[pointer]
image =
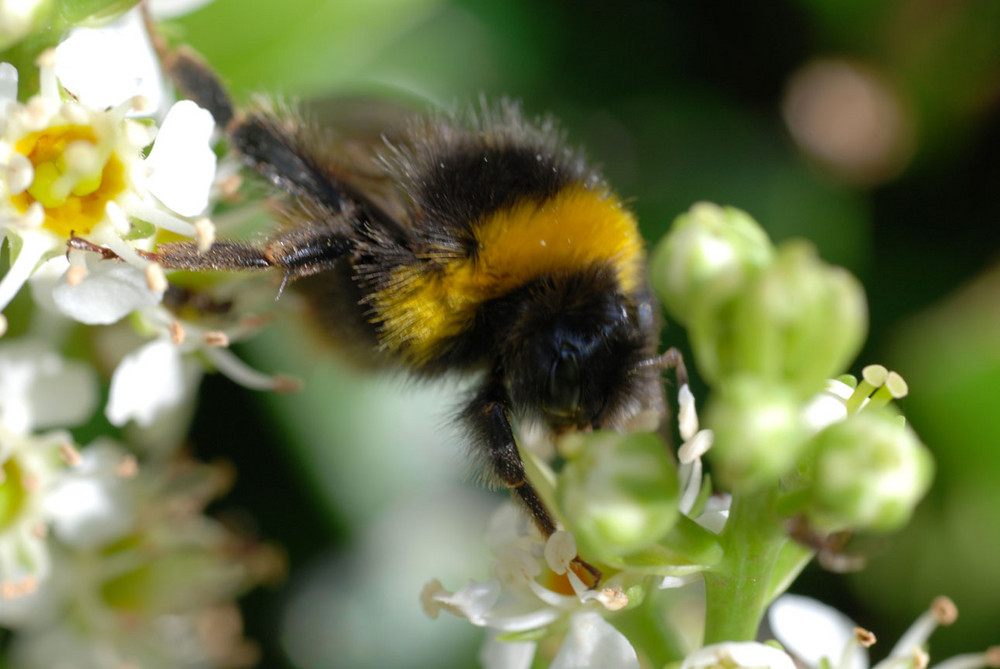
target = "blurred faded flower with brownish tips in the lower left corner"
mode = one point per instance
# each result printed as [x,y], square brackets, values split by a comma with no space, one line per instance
[159,591]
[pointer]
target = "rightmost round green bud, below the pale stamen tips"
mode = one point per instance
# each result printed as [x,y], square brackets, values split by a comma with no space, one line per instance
[866,473]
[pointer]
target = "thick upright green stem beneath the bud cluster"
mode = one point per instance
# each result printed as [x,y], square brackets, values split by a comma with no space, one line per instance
[738,589]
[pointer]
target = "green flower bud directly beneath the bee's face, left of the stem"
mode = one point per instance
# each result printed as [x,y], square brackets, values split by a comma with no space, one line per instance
[618,492]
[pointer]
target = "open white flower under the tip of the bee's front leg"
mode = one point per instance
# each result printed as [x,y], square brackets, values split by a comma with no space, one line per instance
[533,589]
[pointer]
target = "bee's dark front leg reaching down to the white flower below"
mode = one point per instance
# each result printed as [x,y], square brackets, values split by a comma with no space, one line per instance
[487,416]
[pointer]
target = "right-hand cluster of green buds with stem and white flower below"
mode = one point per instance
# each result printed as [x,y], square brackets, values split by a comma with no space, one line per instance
[799,453]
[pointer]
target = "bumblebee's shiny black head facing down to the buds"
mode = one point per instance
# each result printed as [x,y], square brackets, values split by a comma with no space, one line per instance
[577,365]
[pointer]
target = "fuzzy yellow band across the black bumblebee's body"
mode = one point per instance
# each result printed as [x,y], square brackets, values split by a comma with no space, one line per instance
[424,304]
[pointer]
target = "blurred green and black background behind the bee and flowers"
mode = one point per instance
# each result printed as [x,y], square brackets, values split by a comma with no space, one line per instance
[871,128]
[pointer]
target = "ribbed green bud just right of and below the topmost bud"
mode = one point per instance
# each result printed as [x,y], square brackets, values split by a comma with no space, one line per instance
[799,321]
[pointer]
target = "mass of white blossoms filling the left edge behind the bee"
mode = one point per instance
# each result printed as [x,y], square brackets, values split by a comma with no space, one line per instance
[107,557]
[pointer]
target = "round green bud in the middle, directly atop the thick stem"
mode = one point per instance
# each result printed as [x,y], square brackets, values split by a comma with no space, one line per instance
[759,432]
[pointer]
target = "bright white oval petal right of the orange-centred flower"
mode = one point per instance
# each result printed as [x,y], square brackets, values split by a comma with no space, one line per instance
[181,162]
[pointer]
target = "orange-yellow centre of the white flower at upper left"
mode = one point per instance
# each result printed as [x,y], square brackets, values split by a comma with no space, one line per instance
[75,177]
